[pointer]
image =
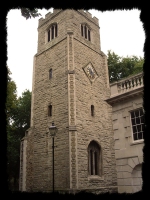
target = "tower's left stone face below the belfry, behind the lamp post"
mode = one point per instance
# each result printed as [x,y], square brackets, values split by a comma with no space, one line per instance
[54,92]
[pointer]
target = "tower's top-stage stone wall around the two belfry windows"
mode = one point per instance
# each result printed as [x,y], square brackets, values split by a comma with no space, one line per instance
[69,20]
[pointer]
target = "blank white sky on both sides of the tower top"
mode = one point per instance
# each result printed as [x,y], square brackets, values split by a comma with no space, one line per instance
[120,31]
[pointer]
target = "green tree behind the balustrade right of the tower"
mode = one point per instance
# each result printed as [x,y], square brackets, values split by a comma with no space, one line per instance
[121,67]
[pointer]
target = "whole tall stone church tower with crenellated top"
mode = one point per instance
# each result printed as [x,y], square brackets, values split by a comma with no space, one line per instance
[70,85]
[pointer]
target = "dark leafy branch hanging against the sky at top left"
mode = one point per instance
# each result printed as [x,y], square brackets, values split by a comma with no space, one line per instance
[28,13]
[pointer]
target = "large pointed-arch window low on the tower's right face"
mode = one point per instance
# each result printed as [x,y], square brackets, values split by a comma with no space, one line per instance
[95,160]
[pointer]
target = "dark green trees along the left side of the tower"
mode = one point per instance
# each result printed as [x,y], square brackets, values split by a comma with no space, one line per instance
[18,121]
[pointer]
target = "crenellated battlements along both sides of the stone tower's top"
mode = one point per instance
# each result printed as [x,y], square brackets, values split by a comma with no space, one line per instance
[50,15]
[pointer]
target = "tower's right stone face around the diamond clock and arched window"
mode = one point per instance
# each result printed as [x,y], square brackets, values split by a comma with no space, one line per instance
[99,127]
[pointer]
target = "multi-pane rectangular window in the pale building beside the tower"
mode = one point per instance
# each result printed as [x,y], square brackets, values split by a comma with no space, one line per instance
[137,124]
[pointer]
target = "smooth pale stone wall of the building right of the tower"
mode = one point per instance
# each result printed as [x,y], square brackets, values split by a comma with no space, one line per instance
[128,154]
